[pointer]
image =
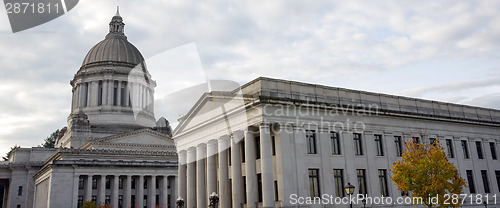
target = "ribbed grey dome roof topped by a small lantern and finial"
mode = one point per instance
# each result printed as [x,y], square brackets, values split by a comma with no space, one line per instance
[115,48]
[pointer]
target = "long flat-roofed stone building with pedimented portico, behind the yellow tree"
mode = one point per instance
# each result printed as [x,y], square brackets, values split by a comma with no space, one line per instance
[278,143]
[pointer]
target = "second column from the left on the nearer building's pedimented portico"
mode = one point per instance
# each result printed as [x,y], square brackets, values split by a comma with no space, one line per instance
[191,177]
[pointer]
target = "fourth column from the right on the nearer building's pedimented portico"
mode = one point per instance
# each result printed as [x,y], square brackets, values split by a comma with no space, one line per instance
[224,196]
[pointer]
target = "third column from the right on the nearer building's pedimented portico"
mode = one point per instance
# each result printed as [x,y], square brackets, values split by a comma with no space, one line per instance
[236,168]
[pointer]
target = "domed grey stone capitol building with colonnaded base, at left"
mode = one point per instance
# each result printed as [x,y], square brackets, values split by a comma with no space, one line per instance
[112,151]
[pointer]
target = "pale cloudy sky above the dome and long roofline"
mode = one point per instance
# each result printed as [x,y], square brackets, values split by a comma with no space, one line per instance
[439,50]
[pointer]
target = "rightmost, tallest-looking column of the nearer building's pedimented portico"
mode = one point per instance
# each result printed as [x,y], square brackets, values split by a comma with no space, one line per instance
[266,163]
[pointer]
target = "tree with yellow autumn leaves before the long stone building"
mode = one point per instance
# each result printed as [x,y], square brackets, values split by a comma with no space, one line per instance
[425,172]
